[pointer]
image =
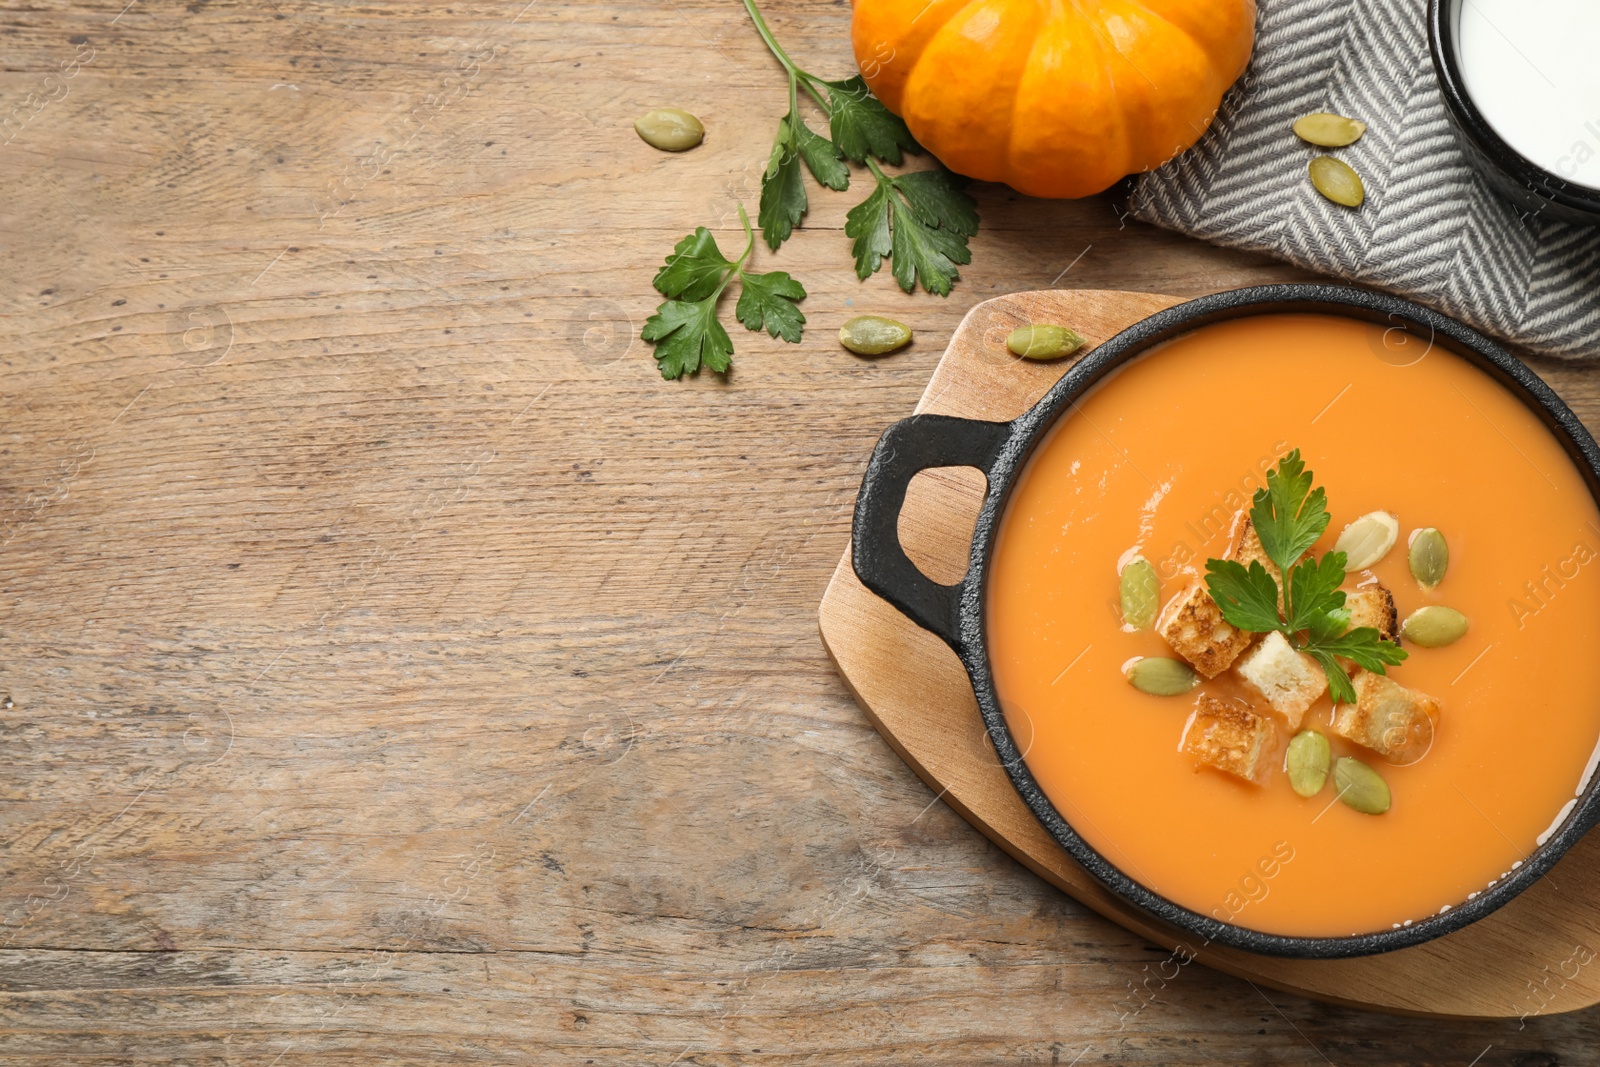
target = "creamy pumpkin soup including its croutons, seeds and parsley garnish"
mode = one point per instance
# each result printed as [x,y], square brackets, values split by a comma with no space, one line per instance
[1334,708]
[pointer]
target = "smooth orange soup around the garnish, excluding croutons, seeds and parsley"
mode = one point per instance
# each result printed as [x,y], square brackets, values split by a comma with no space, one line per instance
[1158,460]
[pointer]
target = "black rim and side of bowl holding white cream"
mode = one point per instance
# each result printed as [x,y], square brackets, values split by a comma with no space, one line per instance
[1508,172]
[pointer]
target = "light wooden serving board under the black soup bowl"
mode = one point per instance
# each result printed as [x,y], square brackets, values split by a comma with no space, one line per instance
[1532,957]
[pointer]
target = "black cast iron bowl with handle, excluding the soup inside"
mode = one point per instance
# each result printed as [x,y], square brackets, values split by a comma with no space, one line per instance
[1002,450]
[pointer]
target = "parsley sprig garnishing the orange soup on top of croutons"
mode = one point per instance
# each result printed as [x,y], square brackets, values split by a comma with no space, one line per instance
[1290,514]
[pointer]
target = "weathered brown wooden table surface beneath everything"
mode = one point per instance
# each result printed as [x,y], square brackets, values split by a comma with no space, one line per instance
[401,671]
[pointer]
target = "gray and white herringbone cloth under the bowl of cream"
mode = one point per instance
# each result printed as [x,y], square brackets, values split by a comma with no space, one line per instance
[1431,230]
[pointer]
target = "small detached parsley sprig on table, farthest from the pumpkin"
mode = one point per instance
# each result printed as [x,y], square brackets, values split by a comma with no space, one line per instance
[687,332]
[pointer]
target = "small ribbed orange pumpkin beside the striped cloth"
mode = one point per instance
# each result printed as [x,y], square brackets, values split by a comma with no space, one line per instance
[1057,98]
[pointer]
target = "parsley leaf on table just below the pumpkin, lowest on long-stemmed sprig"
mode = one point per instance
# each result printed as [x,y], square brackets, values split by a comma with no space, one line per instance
[922,220]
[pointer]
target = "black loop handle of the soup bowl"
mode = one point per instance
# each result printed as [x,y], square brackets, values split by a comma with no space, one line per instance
[905,450]
